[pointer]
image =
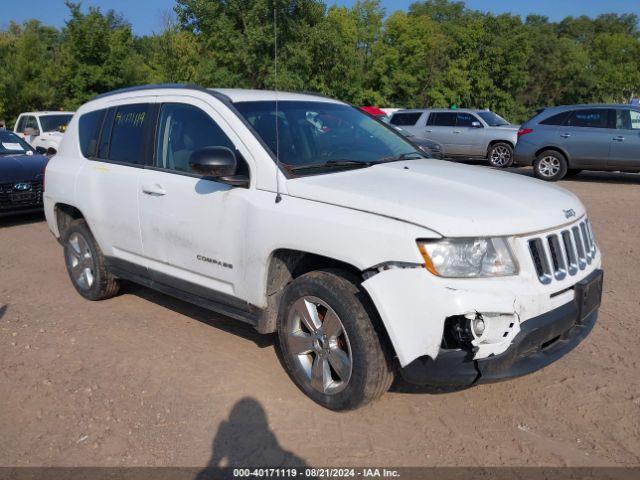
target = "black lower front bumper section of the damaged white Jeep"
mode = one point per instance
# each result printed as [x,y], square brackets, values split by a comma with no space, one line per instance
[541,340]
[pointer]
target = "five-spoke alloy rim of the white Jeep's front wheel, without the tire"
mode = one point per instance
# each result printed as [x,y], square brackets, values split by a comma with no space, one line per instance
[319,345]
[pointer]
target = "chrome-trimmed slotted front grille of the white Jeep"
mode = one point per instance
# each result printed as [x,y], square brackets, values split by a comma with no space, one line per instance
[564,252]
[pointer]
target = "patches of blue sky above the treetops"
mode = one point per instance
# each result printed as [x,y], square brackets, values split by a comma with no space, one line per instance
[146,15]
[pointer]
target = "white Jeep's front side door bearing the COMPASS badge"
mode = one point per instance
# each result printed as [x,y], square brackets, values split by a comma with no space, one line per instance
[193,228]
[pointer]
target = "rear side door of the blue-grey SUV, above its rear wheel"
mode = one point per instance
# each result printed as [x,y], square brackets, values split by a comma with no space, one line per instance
[587,136]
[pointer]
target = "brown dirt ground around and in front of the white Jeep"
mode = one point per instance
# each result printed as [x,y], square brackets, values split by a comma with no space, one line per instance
[143,379]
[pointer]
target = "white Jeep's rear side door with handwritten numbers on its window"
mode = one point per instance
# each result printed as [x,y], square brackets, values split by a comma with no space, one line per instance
[116,141]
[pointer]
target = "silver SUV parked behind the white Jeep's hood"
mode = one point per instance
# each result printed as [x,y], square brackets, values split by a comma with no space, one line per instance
[463,133]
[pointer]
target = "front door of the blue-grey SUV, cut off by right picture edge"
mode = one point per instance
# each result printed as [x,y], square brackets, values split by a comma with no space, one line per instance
[625,142]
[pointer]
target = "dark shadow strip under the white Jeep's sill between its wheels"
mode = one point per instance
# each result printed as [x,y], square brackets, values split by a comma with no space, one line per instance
[203,315]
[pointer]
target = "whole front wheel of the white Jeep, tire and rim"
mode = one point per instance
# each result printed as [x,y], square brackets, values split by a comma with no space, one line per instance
[366,373]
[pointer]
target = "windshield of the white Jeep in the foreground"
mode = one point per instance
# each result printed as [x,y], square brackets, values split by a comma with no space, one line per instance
[324,134]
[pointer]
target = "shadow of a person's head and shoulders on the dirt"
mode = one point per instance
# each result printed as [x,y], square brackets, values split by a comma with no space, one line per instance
[245,440]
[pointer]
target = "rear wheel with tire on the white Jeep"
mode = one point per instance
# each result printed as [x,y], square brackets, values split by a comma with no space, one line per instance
[86,264]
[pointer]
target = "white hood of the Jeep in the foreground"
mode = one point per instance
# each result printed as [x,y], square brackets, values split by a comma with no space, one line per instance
[452,199]
